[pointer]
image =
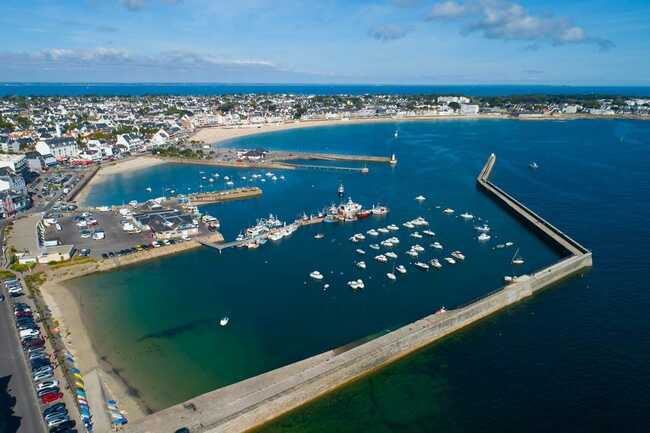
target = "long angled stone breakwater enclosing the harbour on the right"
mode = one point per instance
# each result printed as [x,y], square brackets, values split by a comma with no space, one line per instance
[257,400]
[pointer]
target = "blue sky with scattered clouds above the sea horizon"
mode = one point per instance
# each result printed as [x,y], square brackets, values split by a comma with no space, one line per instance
[571,42]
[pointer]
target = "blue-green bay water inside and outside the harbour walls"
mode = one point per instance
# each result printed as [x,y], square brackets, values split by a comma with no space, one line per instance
[574,358]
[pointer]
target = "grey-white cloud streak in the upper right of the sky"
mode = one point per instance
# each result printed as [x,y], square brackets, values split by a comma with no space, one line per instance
[505,20]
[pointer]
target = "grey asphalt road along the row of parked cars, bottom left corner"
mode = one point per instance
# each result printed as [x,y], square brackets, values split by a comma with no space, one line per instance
[14,366]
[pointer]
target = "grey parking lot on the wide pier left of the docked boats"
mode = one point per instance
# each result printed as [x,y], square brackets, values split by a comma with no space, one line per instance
[115,238]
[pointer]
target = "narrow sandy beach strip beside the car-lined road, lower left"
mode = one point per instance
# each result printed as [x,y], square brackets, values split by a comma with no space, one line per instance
[65,308]
